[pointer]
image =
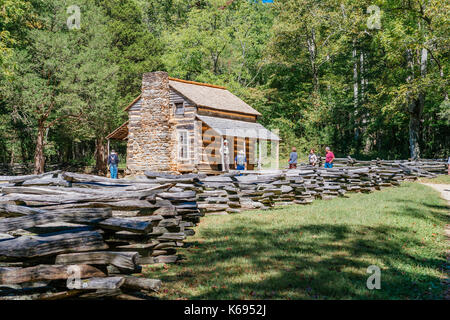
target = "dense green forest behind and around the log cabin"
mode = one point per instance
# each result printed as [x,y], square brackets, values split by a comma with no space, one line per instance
[368,78]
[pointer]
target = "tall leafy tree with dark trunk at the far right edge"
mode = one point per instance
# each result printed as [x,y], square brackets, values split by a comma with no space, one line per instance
[413,39]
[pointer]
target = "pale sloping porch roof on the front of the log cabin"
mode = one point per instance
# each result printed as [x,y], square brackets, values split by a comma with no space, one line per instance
[236,128]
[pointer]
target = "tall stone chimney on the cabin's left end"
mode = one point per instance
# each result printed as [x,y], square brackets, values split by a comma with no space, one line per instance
[151,137]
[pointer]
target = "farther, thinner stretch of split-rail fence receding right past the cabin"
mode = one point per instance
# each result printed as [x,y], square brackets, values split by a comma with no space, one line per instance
[230,193]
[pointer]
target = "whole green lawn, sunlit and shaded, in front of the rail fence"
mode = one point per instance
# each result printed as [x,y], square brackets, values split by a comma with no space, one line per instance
[319,251]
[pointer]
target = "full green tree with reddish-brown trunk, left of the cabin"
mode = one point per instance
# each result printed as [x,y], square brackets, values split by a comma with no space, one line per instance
[51,84]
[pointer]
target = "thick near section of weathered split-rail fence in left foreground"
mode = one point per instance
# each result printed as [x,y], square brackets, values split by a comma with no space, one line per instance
[61,225]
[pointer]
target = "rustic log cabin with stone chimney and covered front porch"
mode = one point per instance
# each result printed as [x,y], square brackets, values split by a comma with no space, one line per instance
[180,126]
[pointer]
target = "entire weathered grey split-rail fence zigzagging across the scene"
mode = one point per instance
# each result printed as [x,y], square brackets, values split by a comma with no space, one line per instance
[109,228]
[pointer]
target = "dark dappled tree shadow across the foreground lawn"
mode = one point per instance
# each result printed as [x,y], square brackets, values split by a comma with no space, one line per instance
[330,266]
